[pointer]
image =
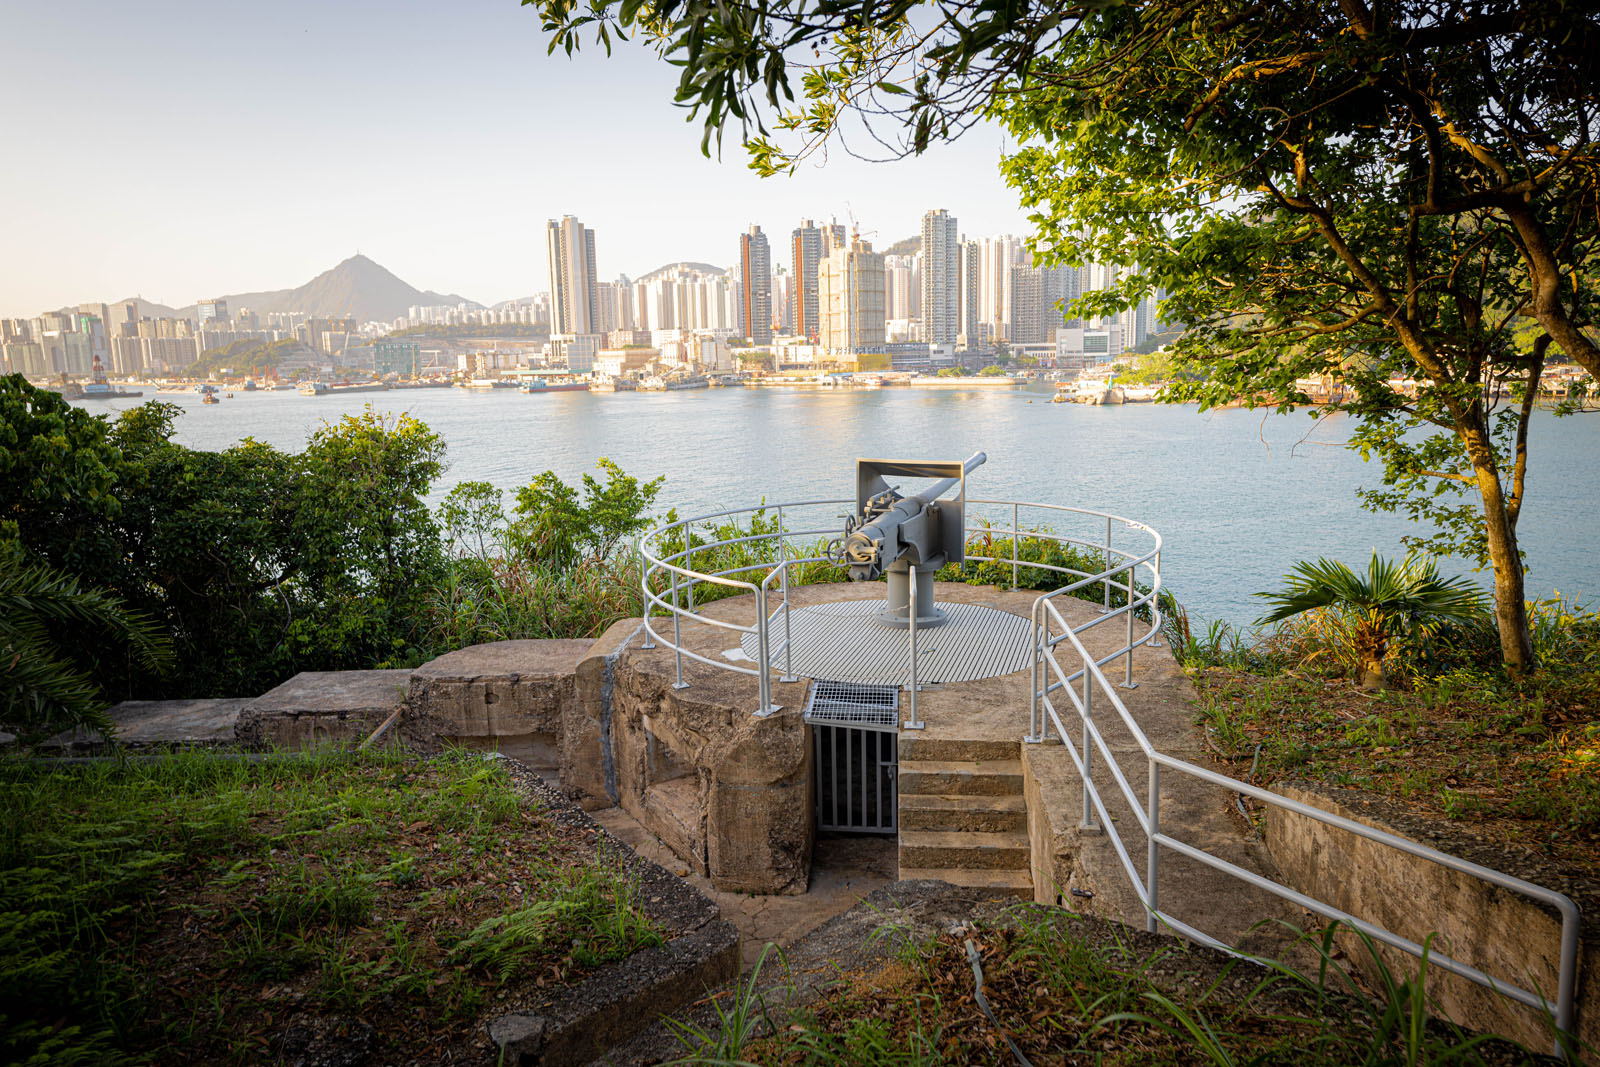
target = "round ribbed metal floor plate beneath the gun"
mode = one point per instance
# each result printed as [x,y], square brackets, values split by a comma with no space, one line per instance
[844,642]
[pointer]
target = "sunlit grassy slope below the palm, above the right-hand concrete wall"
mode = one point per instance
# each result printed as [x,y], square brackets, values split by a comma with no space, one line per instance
[1455,737]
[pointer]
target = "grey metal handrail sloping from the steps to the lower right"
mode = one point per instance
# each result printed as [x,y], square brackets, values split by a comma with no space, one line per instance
[1148,818]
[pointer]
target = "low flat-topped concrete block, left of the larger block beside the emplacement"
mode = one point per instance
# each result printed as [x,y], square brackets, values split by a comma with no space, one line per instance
[321,708]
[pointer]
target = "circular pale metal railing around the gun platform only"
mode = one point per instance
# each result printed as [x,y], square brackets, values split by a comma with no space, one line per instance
[670,578]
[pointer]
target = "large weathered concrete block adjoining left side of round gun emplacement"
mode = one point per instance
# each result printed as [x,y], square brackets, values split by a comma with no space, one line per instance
[510,697]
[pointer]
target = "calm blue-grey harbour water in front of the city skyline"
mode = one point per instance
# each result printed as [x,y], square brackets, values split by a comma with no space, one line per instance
[1239,497]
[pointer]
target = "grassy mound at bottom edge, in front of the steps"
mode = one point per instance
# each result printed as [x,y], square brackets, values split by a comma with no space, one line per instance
[1089,997]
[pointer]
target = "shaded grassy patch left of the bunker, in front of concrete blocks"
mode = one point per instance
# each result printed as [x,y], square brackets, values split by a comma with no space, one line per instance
[182,911]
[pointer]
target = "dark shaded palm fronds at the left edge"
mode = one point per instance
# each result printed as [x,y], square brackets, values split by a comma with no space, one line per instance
[44,689]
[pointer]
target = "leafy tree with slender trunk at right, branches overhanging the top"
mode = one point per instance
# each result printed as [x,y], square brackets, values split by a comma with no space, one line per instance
[1356,193]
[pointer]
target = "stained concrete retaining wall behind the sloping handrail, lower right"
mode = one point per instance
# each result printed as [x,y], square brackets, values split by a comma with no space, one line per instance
[1498,932]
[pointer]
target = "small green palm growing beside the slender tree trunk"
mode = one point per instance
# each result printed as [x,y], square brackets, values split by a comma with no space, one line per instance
[1393,601]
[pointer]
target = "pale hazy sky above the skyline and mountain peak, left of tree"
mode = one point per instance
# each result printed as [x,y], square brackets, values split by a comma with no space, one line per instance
[180,150]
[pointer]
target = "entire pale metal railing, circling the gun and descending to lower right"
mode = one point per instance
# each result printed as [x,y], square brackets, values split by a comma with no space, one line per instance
[670,581]
